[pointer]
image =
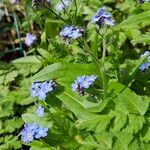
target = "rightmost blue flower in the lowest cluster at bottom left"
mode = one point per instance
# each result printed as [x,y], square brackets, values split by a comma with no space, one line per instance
[41,132]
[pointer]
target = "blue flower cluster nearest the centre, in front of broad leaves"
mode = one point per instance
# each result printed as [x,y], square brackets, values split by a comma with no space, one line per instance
[83,82]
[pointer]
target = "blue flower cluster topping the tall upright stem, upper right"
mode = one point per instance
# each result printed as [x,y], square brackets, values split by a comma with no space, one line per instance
[101,17]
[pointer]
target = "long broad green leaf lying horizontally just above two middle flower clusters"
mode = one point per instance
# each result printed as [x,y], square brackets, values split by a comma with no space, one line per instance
[64,70]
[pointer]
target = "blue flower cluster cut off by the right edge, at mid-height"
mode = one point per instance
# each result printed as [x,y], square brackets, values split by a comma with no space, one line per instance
[146,64]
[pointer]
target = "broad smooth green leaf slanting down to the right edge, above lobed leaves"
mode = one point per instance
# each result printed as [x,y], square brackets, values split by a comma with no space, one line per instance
[134,103]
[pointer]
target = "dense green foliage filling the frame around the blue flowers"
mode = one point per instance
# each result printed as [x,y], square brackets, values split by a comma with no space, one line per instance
[113,112]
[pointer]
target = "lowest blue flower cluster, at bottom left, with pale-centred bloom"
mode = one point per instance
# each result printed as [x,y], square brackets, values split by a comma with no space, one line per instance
[32,131]
